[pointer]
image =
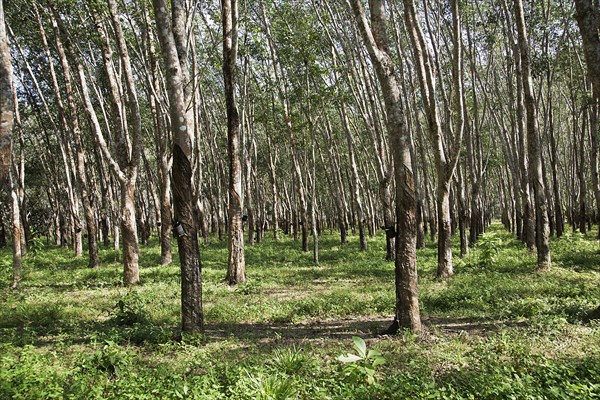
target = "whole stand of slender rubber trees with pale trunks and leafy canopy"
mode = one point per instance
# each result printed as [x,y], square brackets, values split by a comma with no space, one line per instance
[194,118]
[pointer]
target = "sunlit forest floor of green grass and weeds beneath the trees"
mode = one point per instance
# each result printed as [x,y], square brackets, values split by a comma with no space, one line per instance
[497,329]
